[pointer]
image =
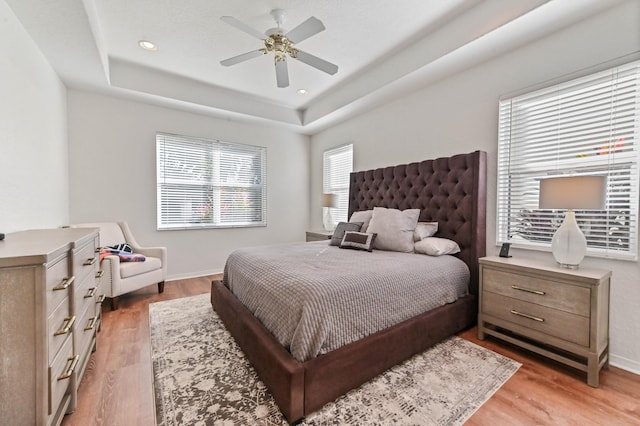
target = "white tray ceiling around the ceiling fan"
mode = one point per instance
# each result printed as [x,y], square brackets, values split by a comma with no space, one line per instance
[382,48]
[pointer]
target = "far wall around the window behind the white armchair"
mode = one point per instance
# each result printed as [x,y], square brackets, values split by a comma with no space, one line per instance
[113,171]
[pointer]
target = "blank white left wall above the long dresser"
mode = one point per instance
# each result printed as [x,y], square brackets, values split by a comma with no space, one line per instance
[33,133]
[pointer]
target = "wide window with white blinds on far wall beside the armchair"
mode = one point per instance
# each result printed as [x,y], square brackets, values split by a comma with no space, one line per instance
[209,184]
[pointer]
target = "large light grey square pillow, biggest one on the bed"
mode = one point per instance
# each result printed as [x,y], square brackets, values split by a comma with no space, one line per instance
[394,228]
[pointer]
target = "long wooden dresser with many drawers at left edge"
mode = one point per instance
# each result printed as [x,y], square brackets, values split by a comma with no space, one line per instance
[49,313]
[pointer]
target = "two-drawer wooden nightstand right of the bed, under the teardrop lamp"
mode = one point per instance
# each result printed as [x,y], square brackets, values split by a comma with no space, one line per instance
[560,313]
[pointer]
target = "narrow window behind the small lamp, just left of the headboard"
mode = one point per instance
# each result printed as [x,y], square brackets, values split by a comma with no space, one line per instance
[337,164]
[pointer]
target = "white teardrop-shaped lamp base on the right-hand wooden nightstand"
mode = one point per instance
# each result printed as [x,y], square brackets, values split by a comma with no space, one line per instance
[569,244]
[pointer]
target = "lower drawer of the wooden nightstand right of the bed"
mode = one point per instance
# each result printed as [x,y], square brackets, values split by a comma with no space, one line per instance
[563,325]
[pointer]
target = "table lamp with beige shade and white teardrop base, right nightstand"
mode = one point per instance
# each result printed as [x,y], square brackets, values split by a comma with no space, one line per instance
[569,244]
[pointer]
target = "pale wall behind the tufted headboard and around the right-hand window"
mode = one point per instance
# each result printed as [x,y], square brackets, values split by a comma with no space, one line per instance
[460,113]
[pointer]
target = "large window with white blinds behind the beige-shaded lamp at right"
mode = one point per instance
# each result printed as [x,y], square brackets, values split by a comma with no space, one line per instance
[586,126]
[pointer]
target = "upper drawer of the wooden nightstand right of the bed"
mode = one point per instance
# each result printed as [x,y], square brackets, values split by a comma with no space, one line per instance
[556,295]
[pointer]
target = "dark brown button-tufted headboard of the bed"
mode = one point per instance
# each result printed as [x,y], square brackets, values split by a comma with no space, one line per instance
[449,190]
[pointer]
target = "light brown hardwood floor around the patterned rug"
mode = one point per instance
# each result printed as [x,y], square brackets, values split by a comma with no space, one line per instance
[117,386]
